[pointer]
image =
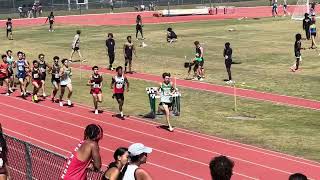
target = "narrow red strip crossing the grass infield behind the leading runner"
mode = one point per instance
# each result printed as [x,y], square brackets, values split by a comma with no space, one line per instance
[245,93]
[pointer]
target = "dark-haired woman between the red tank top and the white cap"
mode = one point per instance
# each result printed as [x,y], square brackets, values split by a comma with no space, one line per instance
[114,171]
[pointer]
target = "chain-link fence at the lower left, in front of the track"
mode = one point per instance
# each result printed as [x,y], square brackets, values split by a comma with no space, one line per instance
[30,162]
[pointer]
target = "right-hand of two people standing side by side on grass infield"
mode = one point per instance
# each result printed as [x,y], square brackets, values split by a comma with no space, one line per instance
[128,50]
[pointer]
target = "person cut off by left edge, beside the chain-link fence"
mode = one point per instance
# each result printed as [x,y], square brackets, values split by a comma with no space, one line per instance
[4,170]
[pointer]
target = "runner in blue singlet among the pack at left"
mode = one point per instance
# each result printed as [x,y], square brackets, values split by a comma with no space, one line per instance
[21,73]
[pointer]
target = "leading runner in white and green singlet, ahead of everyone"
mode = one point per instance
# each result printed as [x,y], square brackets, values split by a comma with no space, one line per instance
[166,90]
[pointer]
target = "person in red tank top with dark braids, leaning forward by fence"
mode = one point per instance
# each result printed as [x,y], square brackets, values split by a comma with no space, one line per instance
[86,154]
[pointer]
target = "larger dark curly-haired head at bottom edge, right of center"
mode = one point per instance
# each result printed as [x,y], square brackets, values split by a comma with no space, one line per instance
[221,168]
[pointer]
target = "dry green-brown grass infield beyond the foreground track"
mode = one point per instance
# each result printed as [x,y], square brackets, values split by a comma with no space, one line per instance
[265,48]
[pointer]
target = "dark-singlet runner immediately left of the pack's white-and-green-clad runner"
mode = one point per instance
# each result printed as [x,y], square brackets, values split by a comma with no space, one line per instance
[55,79]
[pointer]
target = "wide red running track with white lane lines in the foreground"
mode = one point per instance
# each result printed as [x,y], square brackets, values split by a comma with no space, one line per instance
[179,155]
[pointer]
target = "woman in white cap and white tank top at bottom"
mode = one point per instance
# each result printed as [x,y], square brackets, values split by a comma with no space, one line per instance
[138,155]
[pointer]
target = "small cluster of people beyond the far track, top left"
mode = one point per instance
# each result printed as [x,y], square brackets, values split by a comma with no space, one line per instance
[30,11]
